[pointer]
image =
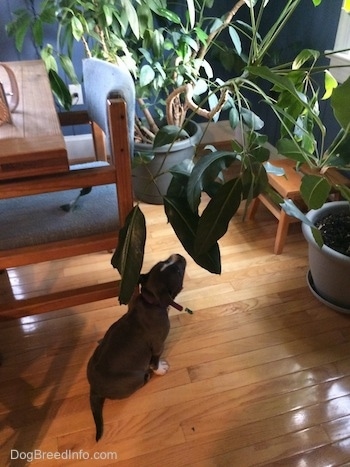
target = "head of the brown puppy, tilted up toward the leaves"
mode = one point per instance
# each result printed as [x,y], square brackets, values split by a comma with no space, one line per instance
[164,281]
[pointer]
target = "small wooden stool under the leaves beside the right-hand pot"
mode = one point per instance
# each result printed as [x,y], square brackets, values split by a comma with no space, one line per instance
[287,186]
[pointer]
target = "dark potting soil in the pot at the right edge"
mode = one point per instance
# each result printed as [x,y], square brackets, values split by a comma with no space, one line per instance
[335,231]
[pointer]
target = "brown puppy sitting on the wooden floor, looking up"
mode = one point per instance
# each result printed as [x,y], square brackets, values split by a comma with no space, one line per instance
[131,348]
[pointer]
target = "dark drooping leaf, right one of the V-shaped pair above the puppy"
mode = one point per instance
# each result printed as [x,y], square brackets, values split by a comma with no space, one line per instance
[215,218]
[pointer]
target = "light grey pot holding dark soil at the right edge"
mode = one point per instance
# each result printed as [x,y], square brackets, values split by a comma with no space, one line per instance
[329,274]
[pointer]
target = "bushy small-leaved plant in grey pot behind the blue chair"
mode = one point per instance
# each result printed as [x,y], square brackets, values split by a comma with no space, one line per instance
[164,45]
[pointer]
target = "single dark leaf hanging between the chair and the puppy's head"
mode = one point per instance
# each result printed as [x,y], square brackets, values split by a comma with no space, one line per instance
[128,256]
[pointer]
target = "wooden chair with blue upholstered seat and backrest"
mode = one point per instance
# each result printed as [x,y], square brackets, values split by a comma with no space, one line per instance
[34,227]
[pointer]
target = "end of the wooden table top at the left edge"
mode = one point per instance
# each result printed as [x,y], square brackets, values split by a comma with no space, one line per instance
[33,143]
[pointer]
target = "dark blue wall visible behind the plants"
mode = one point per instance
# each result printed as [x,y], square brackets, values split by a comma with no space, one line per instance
[311,28]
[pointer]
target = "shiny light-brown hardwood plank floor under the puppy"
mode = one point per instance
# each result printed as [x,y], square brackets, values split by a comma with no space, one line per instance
[259,374]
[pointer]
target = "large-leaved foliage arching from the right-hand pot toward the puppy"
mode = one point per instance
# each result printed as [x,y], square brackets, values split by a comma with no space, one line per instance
[291,92]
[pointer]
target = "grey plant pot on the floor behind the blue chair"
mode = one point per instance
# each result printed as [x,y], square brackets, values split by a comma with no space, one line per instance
[151,190]
